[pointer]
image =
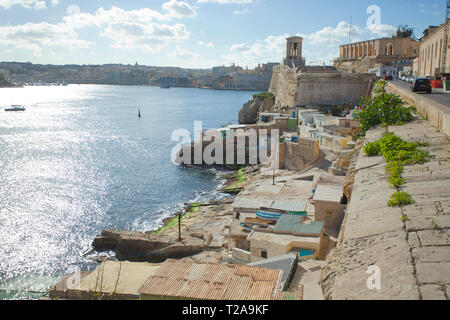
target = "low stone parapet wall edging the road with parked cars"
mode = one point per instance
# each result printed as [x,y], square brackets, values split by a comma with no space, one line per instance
[438,114]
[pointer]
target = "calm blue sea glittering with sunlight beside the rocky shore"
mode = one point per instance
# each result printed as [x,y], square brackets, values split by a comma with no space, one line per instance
[79,160]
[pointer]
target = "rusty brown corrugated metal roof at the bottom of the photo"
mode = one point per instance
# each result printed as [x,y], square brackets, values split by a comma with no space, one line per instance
[213,281]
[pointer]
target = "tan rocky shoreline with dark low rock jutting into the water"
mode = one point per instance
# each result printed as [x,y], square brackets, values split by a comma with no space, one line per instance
[204,230]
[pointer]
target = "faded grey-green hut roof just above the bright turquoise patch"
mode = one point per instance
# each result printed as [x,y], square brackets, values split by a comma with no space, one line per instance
[294,225]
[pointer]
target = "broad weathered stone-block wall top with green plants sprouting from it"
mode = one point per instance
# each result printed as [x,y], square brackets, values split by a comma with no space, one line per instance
[413,255]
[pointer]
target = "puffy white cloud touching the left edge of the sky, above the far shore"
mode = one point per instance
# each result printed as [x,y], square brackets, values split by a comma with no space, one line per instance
[33,36]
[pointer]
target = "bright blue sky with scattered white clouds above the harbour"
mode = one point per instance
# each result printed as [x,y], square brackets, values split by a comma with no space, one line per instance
[195,33]
